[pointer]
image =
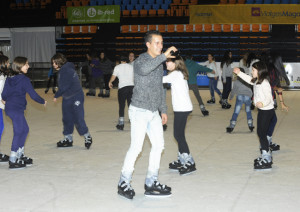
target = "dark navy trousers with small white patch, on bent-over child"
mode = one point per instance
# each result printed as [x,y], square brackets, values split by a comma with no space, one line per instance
[73,114]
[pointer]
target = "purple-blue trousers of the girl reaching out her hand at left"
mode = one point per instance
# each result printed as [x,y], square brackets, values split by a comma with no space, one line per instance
[20,128]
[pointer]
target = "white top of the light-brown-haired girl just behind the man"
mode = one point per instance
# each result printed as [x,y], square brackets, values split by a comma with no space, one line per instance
[181,100]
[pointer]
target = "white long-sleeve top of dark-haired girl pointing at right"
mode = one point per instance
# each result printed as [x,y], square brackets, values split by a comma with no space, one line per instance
[262,92]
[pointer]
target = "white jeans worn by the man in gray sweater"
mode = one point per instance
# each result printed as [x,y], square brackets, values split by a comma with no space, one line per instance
[144,121]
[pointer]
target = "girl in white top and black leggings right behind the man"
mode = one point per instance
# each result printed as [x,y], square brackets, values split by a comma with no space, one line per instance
[182,107]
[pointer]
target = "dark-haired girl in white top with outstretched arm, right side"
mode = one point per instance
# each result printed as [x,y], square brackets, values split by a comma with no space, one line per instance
[263,100]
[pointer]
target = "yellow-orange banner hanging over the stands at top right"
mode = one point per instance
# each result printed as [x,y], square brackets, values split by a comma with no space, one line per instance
[245,14]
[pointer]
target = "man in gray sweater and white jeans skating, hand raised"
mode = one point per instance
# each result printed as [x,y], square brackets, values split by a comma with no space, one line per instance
[147,100]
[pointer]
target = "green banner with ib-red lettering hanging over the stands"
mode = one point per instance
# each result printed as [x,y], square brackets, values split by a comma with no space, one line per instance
[95,14]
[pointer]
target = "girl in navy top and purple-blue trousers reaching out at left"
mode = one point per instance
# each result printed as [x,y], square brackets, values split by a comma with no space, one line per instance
[14,98]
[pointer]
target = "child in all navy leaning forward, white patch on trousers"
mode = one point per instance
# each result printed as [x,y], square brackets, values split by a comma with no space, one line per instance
[72,104]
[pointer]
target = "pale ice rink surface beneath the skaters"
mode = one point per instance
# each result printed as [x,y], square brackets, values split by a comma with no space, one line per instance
[75,179]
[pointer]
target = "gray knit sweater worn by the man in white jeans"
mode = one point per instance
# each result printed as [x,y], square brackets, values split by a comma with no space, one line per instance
[148,92]
